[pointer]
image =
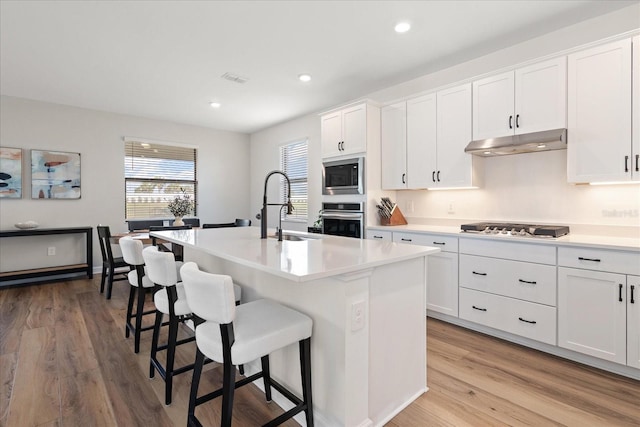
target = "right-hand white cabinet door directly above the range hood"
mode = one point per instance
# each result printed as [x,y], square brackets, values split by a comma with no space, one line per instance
[541,96]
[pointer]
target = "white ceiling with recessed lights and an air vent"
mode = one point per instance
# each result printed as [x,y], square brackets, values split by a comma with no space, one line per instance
[164,59]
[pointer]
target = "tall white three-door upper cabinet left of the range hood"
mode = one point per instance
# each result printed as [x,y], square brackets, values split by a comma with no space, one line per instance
[423,141]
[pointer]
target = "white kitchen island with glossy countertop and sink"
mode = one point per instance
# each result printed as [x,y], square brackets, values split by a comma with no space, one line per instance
[367,302]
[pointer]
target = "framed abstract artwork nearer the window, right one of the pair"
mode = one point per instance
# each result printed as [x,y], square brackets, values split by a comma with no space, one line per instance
[55,175]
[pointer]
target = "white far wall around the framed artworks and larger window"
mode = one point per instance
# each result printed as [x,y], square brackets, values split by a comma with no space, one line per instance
[223,173]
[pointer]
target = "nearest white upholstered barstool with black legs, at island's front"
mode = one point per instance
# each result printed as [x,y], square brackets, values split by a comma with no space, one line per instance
[233,335]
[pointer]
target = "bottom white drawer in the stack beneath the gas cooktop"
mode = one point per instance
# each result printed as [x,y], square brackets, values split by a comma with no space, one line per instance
[527,319]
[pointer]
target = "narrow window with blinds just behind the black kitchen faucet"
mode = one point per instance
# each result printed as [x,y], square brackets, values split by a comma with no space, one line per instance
[293,161]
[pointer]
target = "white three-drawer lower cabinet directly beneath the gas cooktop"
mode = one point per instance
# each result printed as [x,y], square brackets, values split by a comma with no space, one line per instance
[501,290]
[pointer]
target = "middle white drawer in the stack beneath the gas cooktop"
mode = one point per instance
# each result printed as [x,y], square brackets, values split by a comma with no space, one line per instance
[521,280]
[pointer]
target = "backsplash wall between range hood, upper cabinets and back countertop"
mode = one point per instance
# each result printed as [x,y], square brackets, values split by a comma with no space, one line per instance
[528,187]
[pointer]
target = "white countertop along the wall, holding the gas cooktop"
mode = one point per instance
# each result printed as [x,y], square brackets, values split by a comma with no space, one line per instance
[571,239]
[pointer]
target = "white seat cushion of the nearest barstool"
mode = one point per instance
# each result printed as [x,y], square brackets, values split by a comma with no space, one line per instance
[260,327]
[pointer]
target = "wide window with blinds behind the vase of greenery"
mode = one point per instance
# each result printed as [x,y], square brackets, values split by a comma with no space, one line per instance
[154,175]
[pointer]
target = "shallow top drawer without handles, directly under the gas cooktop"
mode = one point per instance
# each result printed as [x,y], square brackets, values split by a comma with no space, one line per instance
[541,254]
